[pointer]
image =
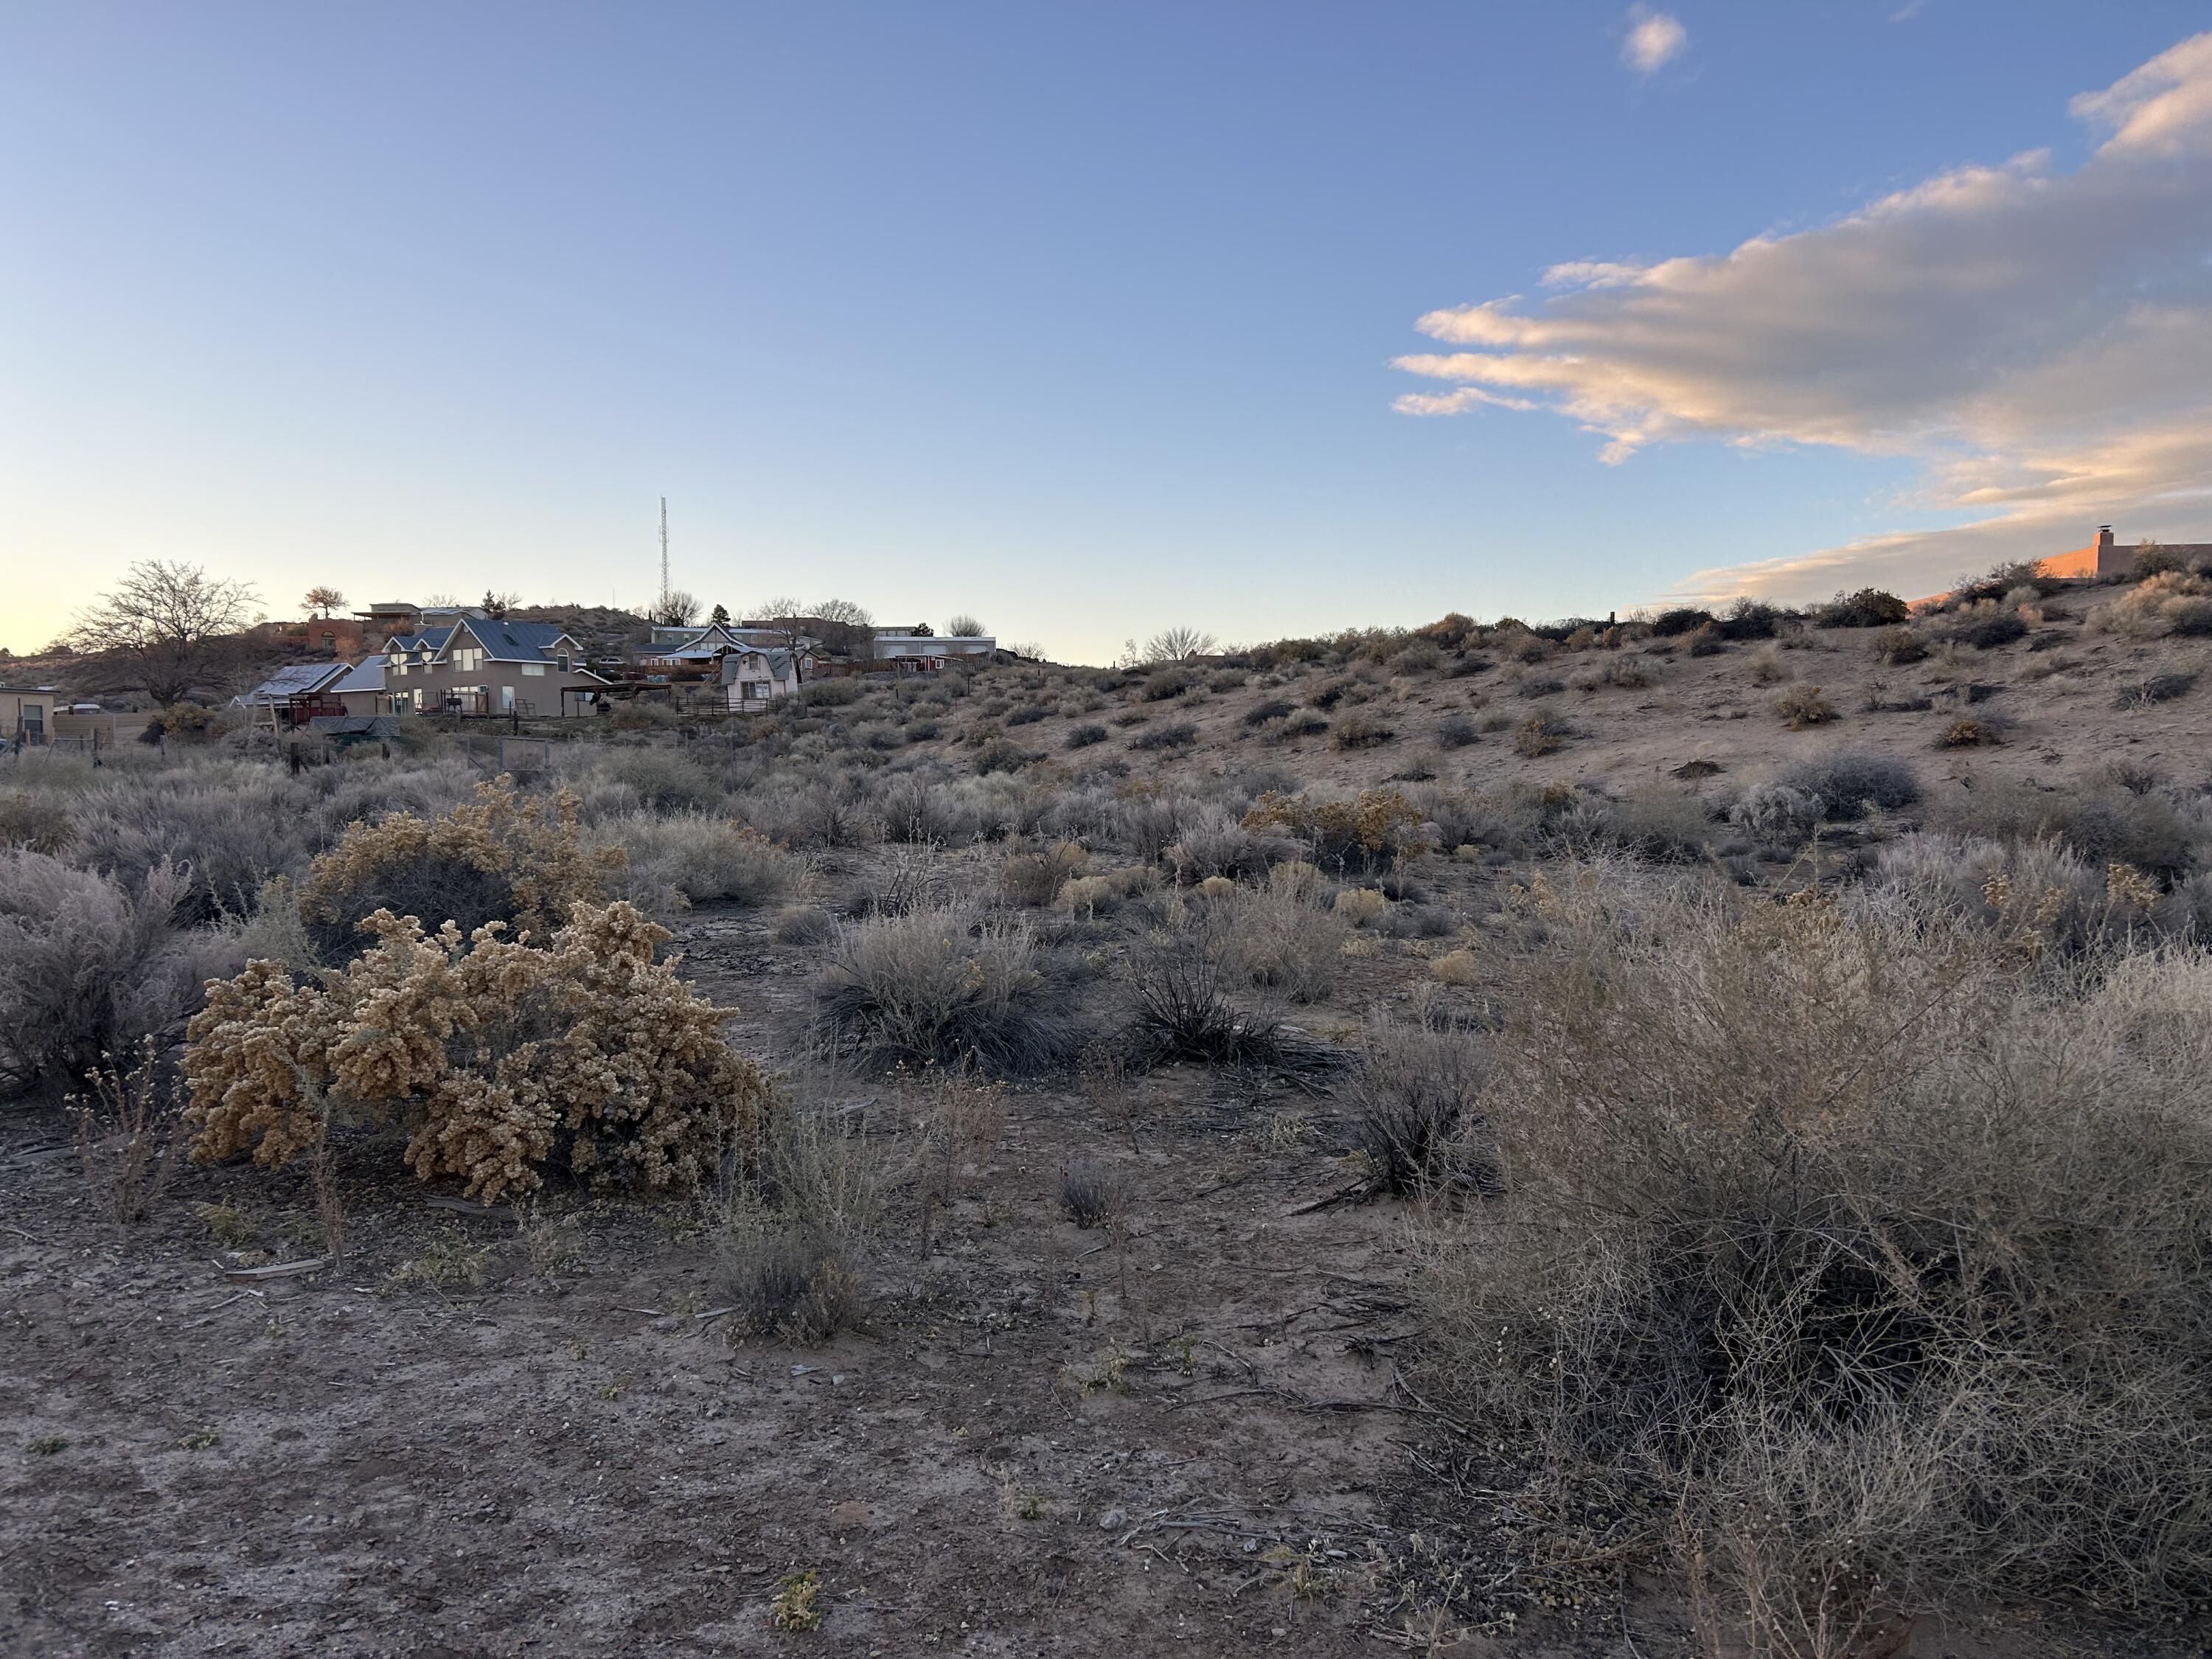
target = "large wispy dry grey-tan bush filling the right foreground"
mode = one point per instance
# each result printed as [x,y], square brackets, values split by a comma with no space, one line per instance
[1859,1260]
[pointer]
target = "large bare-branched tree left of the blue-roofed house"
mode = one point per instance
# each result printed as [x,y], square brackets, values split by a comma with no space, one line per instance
[167,632]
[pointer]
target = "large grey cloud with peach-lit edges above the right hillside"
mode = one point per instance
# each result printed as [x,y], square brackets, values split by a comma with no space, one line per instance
[2038,342]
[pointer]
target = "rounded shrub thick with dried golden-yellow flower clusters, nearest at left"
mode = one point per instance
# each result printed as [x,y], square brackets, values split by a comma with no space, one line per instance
[499,1056]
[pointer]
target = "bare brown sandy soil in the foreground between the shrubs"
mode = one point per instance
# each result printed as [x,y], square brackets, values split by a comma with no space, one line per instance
[565,1459]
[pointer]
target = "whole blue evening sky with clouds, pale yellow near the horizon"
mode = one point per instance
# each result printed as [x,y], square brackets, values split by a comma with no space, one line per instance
[1264,320]
